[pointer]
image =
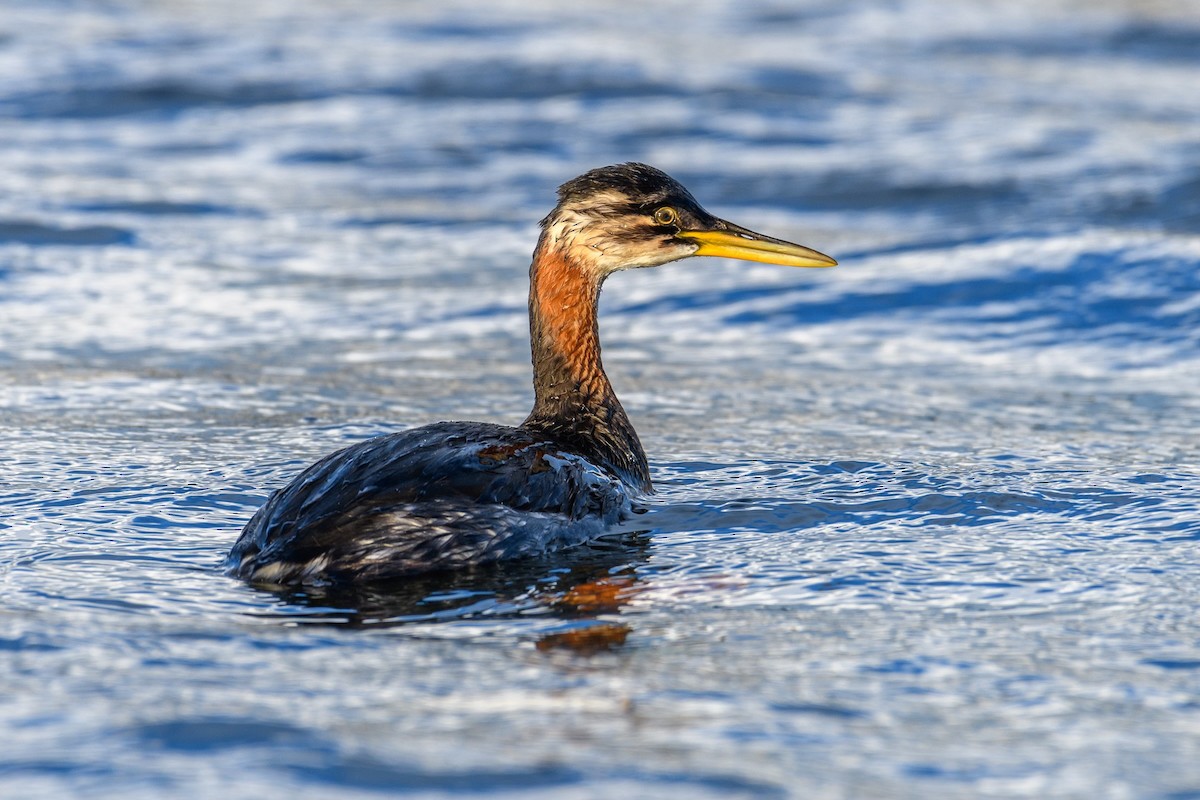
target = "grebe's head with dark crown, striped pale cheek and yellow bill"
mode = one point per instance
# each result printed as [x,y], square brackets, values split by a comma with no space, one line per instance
[632,216]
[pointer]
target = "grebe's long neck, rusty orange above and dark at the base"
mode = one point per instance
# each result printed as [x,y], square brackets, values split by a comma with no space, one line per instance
[574,401]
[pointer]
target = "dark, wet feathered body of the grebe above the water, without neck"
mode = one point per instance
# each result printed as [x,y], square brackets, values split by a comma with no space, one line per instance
[445,496]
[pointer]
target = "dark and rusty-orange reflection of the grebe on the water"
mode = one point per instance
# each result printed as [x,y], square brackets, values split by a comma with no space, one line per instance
[575,587]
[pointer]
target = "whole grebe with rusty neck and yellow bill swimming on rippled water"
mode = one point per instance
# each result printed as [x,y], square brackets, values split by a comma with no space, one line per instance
[455,495]
